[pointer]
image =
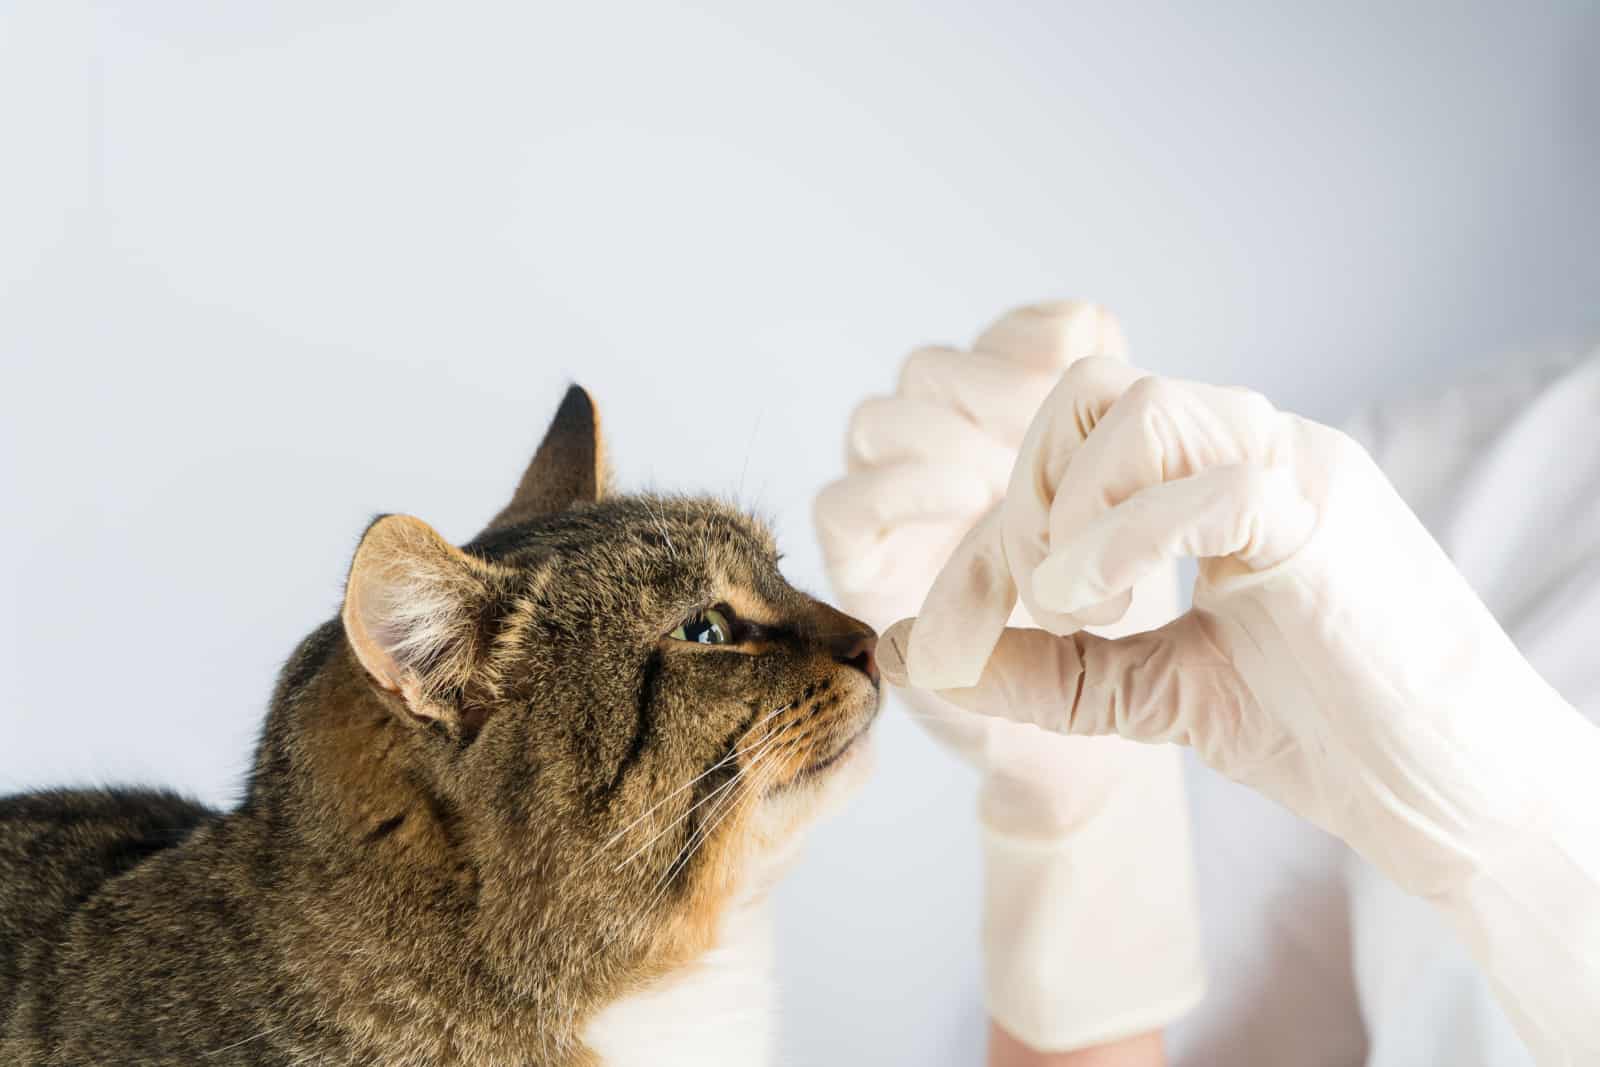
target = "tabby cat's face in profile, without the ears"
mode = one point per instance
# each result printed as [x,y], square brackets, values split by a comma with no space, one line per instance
[682,698]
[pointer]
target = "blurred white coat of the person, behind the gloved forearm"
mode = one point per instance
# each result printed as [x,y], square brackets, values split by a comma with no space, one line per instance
[1506,474]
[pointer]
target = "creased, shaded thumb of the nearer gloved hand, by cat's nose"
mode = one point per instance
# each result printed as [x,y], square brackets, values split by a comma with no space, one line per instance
[1154,687]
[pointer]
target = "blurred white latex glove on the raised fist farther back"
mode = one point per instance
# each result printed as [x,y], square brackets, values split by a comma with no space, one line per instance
[1090,927]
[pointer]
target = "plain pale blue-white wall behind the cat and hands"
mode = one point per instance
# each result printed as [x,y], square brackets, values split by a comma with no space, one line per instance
[270,270]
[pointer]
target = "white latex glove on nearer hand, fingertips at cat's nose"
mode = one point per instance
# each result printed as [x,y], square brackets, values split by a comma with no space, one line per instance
[1334,660]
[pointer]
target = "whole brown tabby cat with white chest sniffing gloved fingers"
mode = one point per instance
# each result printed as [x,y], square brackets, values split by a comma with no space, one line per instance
[519,804]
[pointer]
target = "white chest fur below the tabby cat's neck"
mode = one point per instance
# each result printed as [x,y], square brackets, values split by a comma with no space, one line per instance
[713,1013]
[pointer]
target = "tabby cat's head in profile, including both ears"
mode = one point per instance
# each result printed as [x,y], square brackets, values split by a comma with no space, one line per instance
[622,703]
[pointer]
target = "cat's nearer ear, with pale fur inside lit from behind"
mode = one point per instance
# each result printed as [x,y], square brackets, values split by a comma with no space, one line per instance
[414,612]
